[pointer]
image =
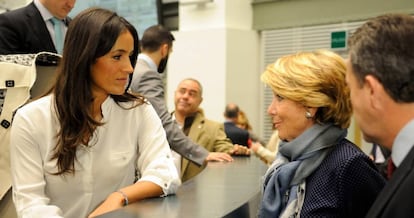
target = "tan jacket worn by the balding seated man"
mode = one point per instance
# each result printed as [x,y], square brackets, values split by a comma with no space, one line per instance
[209,134]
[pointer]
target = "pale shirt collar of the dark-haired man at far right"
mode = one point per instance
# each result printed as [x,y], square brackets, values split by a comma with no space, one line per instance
[403,143]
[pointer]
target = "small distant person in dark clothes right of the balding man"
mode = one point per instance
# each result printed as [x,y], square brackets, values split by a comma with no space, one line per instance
[236,135]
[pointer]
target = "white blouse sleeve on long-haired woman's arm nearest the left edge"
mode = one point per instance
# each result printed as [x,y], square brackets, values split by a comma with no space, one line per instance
[27,171]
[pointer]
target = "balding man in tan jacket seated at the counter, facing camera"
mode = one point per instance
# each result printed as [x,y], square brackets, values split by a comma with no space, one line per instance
[207,133]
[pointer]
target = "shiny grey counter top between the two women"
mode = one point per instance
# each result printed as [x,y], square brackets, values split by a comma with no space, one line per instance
[220,190]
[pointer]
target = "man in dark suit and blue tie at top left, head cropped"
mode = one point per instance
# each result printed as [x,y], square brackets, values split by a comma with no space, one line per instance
[29,29]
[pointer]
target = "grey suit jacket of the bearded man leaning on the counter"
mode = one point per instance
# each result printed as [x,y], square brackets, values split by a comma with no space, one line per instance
[149,83]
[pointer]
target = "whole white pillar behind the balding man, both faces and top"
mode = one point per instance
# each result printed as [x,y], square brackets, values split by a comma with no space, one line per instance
[216,45]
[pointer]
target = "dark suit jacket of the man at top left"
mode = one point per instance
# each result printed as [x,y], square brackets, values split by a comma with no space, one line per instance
[23,31]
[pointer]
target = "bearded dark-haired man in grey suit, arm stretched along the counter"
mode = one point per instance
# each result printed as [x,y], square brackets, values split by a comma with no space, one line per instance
[156,45]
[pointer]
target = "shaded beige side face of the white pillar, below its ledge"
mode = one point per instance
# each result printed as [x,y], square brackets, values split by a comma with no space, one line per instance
[243,73]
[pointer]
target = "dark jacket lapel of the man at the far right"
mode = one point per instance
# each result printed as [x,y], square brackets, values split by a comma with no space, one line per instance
[387,194]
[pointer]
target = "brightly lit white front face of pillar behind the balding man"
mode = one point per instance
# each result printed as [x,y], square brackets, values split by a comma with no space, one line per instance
[198,54]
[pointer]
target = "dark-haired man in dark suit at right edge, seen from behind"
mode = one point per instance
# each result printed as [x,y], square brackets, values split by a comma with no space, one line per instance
[380,75]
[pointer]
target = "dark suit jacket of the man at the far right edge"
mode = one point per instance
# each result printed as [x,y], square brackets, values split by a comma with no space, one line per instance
[396,199]
